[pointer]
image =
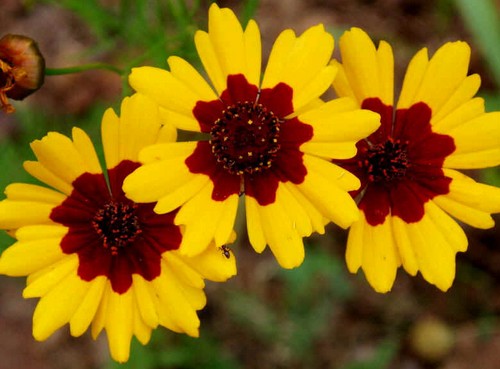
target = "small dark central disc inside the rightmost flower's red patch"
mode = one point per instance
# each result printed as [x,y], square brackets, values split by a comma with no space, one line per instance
[387,161]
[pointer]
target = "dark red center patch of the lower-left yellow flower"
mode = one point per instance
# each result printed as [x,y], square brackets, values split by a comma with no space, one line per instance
[113,236]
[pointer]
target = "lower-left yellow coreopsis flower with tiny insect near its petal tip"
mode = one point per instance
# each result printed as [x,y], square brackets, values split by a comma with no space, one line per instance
[93,256]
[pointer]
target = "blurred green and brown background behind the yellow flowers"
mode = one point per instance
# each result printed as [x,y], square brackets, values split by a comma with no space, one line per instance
[316,316]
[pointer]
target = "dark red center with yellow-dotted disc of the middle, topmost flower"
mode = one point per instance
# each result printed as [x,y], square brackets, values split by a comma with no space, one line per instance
[253,144]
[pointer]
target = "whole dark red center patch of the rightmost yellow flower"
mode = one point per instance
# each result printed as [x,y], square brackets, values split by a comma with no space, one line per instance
[401,164]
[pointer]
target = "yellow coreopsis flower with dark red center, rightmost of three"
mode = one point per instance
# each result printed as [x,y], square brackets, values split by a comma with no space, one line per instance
[411,190]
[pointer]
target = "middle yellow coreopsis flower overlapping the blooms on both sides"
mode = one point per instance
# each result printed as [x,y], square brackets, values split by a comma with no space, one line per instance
[268,140]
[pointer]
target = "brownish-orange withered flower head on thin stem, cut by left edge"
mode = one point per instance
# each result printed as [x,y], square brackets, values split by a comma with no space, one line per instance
[22,69]
